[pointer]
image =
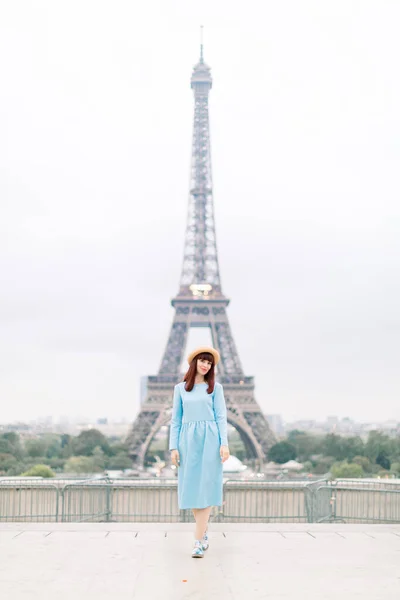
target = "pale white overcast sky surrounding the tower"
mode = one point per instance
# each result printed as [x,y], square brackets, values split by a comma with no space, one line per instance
[95,139]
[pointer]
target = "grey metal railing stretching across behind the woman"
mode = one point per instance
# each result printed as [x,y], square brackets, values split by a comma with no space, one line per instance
[155,500]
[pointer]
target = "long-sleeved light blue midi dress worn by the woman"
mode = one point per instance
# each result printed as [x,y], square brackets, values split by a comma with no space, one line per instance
[198,429]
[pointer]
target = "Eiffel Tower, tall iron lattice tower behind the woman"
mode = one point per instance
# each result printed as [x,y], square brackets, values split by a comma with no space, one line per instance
[201,303]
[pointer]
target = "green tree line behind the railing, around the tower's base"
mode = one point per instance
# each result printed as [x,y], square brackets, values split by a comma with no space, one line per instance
[91,452]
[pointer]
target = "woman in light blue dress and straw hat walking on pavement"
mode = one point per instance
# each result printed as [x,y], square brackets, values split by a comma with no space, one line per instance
[198,441]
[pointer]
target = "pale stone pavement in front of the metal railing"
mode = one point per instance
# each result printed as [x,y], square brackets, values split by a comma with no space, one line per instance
[121,561]
